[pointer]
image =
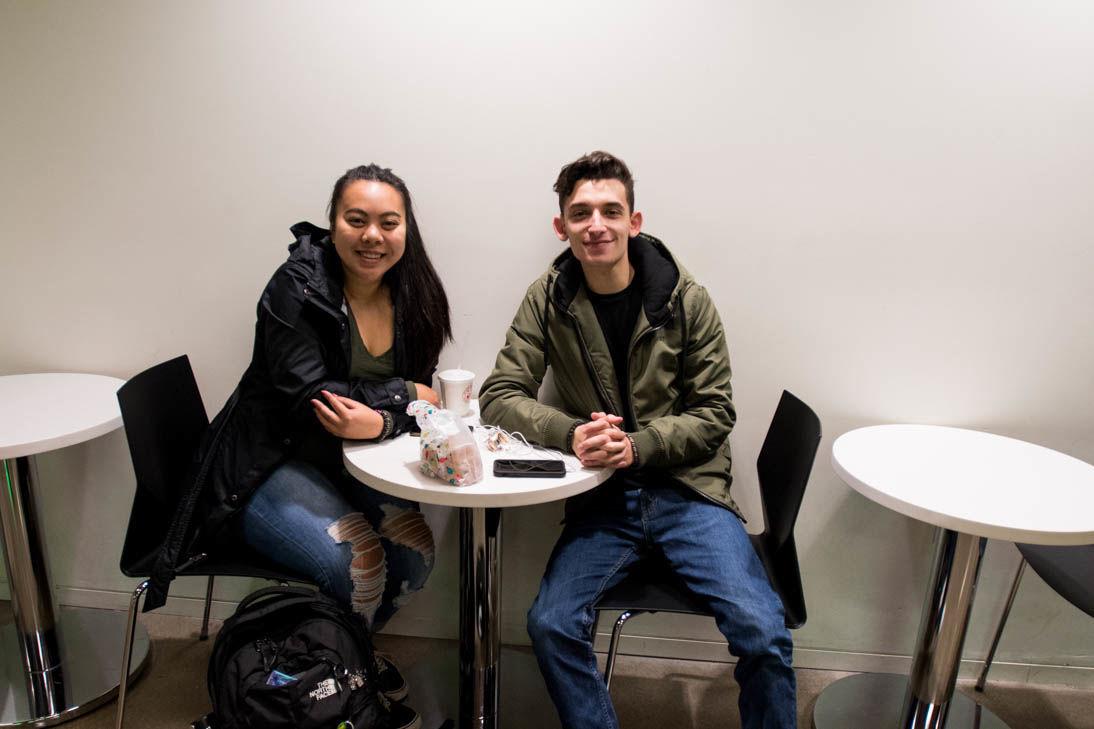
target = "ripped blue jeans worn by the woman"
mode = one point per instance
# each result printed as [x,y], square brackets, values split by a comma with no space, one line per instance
[363,548]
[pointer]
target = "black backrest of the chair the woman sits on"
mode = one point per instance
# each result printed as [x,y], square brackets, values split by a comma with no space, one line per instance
[165,420]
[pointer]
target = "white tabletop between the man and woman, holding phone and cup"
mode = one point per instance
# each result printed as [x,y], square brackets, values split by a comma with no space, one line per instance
[392,467]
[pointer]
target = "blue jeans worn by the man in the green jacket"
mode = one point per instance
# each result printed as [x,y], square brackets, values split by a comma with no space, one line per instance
[708,548]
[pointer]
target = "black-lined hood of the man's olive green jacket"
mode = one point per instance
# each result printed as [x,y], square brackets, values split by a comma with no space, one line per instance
[661,277]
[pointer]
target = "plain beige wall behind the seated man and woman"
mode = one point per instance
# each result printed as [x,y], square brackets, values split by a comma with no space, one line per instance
[890,203]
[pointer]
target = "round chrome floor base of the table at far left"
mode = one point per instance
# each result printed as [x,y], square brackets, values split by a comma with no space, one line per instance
[86,677]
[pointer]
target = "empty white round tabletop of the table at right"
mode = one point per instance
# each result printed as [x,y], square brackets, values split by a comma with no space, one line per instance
[972,482]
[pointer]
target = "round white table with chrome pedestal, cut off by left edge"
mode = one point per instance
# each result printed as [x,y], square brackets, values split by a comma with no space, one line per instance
[57,664]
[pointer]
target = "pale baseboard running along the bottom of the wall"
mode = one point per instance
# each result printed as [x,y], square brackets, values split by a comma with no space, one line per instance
[1077,677]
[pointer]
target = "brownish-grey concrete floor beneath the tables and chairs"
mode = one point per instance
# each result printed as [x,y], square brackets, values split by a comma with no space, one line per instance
[649,693]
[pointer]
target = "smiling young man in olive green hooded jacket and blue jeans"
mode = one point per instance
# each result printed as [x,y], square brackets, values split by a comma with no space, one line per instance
[641,363]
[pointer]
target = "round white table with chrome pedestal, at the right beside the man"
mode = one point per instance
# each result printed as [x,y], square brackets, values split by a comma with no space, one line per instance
[974,487]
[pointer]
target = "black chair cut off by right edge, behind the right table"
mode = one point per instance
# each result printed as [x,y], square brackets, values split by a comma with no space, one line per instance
[1067,570]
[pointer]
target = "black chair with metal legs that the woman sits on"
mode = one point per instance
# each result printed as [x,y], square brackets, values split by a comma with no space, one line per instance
[165,420]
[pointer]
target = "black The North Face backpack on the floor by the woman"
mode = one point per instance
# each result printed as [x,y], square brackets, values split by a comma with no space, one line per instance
[294,658]
